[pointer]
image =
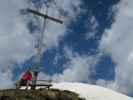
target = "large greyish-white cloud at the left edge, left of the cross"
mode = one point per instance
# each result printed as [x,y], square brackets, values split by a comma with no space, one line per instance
[16,43]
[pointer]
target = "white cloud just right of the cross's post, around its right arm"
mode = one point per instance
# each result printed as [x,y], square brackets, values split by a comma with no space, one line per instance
[54,31]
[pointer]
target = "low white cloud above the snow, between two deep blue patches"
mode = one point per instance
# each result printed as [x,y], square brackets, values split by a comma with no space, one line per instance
[77,69]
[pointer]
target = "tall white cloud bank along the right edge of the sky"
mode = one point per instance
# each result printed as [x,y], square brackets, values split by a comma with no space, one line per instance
[117,41]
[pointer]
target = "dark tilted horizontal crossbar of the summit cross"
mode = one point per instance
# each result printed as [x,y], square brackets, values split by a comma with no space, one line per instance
[44,16]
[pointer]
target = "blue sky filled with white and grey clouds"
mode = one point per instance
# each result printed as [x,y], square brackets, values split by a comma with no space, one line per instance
[93,45]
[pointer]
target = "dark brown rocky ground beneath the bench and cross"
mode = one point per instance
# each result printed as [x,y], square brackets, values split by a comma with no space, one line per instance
[42,94]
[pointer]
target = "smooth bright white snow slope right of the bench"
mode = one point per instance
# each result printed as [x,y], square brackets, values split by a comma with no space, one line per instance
[91,92]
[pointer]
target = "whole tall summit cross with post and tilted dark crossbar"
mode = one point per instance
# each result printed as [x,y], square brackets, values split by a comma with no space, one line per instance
[40,40]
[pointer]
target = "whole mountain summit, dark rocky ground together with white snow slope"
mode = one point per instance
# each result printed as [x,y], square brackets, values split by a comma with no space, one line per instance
[64,91]
